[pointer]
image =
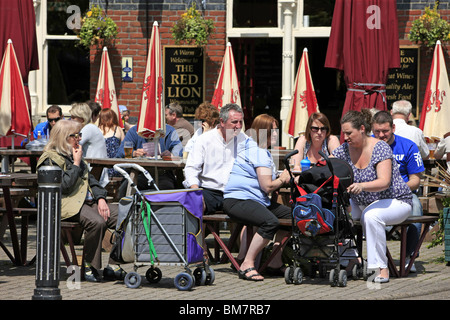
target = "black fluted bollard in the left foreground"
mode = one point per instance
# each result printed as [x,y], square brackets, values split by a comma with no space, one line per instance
[48,234]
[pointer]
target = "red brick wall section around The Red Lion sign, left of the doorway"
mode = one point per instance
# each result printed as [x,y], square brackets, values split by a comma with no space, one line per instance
[135,20]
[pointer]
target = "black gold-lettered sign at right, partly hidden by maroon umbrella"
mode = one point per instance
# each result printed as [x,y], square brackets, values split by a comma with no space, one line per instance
[403,82]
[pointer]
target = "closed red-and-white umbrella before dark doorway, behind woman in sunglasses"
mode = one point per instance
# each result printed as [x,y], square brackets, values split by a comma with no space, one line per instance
[303,102]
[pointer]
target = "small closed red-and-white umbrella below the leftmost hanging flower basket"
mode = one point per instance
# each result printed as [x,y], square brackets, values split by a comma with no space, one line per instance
[106,89]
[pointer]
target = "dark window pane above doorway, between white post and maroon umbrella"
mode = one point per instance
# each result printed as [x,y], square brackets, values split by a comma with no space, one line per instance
[320,13]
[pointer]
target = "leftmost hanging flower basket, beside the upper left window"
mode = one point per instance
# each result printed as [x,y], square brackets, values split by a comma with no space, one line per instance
[96,26]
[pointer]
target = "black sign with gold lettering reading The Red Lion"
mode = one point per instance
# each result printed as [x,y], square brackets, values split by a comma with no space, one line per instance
[184,77]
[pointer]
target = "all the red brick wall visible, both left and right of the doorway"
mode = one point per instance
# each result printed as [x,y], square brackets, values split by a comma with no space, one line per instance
[135,19]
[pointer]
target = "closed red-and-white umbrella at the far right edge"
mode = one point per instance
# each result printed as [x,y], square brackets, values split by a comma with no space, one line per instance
[434,120]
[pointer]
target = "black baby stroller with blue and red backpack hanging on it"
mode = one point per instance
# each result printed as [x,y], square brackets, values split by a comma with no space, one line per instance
[323,235]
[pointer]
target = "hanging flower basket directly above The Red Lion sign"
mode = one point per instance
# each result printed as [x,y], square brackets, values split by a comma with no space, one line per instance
[192,28]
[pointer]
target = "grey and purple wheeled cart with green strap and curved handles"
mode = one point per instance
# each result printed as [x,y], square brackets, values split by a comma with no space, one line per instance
[160,227]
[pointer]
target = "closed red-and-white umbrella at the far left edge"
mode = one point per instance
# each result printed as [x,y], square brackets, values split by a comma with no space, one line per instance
[14,114]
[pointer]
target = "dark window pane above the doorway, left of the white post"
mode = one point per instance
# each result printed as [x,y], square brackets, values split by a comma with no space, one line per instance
[254,13]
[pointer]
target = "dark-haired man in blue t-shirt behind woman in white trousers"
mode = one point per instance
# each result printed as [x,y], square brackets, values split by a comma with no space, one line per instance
[411,165]
